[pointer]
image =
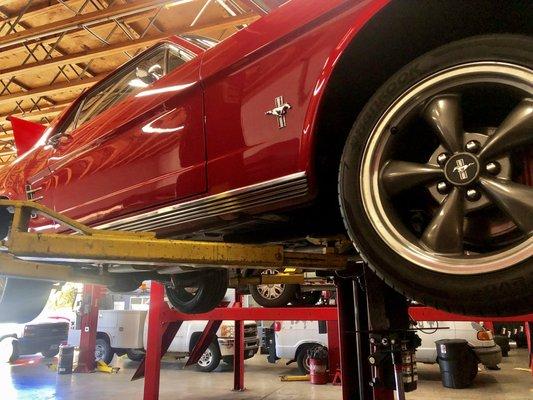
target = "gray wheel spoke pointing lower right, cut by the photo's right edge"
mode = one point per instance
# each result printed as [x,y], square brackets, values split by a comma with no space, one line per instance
[514,199]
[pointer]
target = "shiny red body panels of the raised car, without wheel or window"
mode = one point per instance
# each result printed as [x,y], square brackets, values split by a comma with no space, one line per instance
[198,143]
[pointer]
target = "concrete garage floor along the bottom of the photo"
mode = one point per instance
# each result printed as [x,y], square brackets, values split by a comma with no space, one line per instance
[32,379]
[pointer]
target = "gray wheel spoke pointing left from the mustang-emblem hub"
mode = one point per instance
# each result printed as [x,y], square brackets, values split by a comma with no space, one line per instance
[401,175]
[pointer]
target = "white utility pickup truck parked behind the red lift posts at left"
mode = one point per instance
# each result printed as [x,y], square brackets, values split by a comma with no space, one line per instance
[125,332]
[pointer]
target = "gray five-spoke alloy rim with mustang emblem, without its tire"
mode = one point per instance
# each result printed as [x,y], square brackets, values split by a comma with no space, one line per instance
[470,173]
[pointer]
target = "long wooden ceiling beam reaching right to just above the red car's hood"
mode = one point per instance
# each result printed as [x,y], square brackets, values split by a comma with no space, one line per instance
[120,47]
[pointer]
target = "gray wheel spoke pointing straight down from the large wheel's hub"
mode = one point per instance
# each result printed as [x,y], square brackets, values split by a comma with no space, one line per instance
[444,234]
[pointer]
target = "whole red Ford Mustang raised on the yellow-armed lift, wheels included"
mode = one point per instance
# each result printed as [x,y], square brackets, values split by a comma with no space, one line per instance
[405,125]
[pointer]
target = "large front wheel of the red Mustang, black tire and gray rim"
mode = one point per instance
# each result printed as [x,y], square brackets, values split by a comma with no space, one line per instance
[433,179]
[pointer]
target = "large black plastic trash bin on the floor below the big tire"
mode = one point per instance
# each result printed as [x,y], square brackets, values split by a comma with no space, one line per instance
[457,362]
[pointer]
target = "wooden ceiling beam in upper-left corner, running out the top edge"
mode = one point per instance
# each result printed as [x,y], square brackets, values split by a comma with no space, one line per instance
[87,20]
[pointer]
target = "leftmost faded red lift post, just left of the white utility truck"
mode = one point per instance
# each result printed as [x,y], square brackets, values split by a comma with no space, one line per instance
[89,326]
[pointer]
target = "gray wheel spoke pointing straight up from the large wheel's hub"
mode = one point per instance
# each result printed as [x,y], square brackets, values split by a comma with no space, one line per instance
[444,114]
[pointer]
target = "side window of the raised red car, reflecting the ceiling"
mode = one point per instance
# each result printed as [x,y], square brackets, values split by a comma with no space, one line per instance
[132,79]
